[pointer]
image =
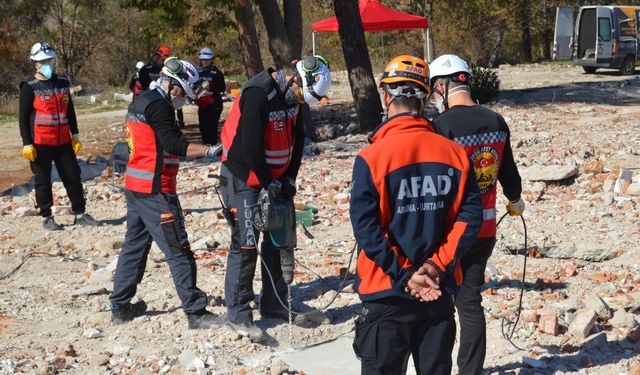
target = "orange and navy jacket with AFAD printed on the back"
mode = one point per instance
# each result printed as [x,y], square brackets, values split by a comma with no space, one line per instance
[414,200]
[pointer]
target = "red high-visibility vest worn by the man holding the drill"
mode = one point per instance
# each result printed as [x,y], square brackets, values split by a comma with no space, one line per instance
[278,132]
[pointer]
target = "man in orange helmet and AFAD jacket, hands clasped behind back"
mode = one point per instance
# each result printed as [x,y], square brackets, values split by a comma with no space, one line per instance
[415,209]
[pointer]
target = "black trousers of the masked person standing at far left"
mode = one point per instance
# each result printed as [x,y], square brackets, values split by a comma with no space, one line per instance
[69,171]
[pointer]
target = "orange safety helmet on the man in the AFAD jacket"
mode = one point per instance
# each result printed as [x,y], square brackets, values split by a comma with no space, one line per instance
[404,68]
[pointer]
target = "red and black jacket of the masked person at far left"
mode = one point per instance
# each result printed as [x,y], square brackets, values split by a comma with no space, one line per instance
[47,117]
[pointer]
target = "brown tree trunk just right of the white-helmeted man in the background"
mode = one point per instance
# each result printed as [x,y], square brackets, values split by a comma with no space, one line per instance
[248,38]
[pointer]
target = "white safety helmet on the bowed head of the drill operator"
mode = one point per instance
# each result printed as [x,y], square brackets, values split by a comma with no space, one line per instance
[316,78]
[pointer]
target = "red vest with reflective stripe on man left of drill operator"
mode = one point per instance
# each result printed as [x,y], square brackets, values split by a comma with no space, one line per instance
[150,169]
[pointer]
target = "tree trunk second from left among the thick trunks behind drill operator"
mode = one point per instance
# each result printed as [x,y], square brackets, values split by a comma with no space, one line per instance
[279,42]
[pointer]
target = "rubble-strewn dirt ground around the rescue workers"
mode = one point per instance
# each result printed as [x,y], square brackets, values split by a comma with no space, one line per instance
[583,236]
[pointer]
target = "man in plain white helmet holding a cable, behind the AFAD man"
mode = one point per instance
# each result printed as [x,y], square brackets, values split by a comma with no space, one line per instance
[485,137]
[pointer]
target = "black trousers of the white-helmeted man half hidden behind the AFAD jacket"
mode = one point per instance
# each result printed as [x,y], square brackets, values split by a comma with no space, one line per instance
[468,301]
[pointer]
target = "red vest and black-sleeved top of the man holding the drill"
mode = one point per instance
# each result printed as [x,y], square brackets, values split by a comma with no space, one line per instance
[263,137]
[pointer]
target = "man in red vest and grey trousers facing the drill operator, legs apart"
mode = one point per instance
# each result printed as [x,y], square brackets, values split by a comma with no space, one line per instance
[153,209]
